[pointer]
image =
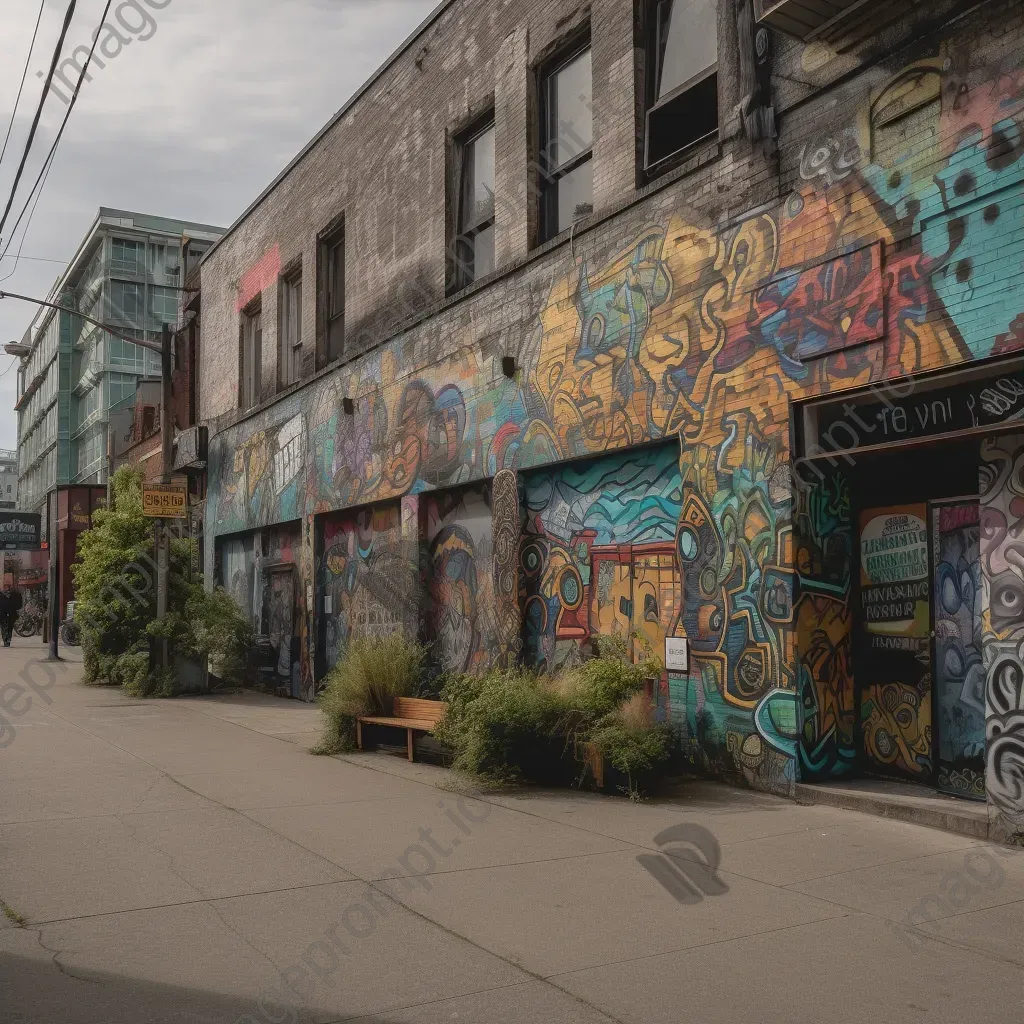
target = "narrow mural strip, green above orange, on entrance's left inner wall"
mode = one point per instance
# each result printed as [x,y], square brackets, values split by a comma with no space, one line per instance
[825,626]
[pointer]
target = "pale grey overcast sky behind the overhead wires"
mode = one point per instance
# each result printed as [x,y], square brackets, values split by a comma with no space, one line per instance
[193,122]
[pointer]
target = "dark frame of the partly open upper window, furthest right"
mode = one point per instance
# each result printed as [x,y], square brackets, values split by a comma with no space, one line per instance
[652,26]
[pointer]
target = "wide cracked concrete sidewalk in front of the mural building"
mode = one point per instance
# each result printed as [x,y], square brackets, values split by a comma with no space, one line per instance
[189,861]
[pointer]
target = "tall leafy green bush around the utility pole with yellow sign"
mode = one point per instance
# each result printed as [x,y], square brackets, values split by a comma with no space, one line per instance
[116,592]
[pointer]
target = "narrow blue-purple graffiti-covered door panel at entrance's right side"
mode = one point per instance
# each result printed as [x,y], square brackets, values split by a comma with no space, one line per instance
[959,669]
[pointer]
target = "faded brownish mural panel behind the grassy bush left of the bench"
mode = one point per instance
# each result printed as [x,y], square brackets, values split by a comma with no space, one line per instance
[366,580]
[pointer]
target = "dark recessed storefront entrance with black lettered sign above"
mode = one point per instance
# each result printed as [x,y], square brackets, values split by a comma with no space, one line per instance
[891,648]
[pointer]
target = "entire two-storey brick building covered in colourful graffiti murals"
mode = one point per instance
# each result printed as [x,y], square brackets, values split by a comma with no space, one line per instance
[696,320]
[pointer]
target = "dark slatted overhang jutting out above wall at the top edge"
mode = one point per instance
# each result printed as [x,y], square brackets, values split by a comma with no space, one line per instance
[843,22]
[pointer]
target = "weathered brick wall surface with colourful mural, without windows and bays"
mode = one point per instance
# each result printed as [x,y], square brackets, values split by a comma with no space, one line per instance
[884,239]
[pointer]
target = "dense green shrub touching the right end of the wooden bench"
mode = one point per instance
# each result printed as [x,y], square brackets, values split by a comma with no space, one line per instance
[501,724]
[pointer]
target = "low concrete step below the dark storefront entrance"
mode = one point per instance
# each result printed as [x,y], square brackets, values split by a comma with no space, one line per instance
[905,802]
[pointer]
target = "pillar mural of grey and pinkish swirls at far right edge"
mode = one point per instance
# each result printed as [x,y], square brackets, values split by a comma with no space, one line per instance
[1003,631]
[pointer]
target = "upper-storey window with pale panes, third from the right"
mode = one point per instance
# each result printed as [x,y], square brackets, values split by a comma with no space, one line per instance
[475,244]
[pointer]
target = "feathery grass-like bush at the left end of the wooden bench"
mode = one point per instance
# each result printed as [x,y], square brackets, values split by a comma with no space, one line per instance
[370,675]
